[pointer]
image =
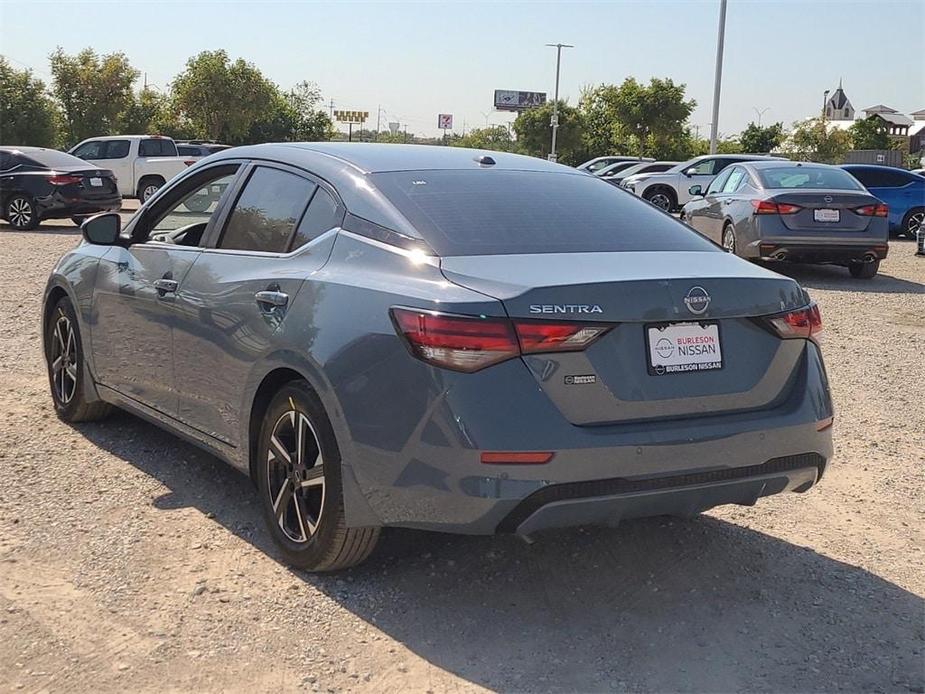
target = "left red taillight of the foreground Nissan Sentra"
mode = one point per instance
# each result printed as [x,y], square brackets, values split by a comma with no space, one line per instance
[470,343]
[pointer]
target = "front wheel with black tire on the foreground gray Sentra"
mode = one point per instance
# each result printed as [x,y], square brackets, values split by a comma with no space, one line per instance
[64,356]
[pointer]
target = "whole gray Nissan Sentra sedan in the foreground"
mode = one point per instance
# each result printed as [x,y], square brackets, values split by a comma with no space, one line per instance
[439,338]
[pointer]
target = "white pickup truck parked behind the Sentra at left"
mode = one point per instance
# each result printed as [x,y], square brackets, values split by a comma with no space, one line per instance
[141,163]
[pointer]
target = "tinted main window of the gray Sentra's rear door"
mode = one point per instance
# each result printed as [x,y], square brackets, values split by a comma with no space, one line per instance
[266,212]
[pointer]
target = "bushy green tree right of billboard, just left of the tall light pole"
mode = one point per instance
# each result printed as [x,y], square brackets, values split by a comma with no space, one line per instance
[652,115]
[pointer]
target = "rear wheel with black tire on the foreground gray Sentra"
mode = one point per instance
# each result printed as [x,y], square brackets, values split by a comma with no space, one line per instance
[310,529]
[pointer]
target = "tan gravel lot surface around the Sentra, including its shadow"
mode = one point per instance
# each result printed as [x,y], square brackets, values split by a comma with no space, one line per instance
[132,561]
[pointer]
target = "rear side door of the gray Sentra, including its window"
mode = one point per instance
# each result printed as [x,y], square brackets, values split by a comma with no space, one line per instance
[238,294]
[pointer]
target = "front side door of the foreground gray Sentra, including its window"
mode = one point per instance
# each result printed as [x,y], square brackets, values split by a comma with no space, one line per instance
[134,301]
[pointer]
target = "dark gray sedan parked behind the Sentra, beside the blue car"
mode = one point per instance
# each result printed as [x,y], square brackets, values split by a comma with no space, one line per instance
[785,211]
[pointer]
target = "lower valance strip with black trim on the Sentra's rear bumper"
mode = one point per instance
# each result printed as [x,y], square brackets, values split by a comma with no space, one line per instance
[607,502]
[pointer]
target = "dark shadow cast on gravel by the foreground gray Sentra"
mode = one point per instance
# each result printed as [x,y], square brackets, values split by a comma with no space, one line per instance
[656,605]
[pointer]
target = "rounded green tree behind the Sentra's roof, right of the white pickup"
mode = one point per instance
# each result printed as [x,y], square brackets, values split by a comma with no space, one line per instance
[223,99]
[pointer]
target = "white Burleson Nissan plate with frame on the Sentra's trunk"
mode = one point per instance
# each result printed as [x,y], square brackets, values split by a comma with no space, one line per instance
[664,359]
